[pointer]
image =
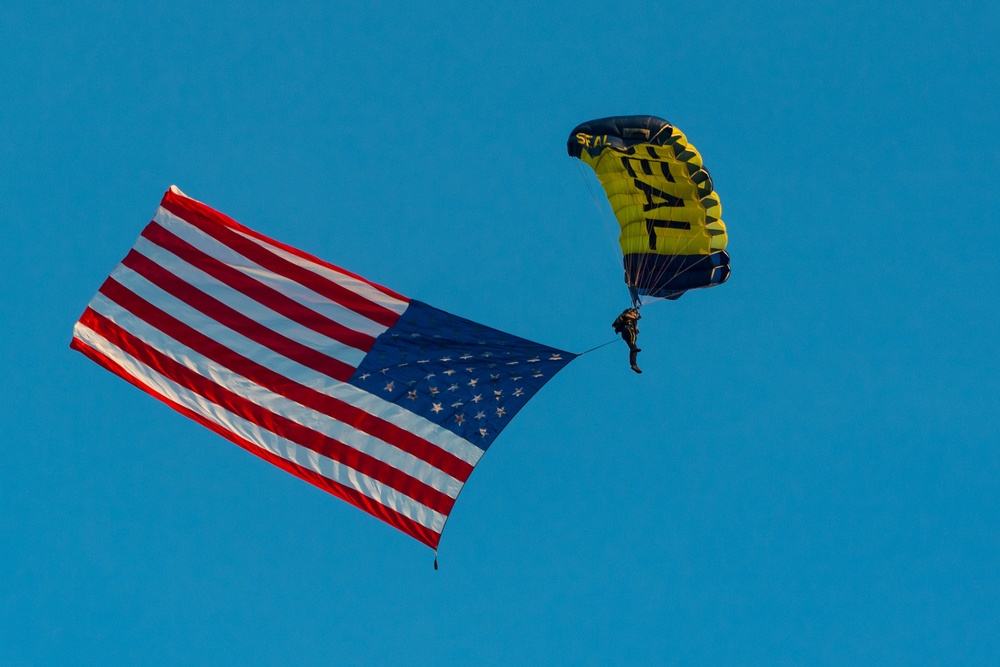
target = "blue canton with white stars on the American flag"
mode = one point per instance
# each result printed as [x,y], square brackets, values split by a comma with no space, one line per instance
[464,376]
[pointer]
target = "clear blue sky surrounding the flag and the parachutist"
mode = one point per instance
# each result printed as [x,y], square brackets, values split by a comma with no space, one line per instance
[807,473]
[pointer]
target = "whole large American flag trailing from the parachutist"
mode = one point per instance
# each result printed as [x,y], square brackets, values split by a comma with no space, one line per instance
[383,401]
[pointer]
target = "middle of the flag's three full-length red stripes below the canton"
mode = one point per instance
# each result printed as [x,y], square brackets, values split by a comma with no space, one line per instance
[266,419]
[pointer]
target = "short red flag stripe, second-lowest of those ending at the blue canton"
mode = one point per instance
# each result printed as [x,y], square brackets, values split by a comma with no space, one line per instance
[256,290]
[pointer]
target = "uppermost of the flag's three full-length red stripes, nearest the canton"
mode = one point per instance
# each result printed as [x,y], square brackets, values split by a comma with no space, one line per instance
[287,387]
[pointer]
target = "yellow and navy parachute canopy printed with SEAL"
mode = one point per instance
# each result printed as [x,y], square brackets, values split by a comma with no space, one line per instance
[672,236]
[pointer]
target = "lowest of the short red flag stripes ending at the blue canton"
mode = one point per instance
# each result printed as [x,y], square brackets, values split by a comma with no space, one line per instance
[238,322]
